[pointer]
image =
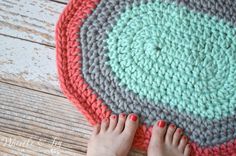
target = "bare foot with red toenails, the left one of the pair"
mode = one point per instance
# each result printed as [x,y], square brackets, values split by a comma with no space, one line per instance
[114,137]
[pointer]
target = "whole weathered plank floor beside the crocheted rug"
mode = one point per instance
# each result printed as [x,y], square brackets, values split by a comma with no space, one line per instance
[35,117]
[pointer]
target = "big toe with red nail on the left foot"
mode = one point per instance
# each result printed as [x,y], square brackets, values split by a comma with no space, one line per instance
[131,125]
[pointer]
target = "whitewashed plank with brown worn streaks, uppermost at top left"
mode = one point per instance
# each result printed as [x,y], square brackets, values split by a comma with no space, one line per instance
[30,20]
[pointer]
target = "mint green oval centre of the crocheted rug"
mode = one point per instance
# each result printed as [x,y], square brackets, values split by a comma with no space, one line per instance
[170,55]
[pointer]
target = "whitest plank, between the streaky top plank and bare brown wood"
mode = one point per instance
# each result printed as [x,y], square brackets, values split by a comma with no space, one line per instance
[28,64]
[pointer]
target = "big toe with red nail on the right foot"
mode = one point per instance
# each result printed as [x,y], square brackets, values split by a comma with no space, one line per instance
[158,133]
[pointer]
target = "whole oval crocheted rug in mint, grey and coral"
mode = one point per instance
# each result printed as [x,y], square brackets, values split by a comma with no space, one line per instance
[162,59]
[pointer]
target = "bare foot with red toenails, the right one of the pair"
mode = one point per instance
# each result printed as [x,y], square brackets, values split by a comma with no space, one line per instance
[168,141]
